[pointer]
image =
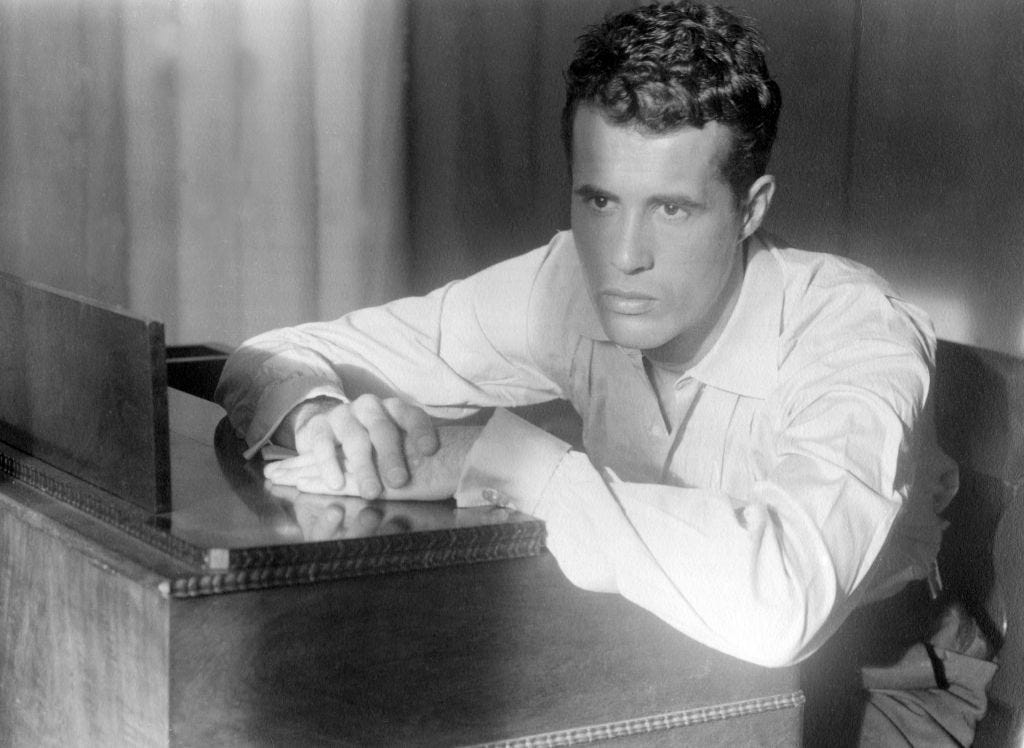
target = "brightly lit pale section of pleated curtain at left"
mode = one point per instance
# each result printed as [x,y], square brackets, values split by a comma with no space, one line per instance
[225,167]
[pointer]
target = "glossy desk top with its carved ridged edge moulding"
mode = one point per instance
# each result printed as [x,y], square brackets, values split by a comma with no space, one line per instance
[233,531]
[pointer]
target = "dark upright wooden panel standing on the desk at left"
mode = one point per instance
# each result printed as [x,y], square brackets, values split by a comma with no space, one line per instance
[83,388]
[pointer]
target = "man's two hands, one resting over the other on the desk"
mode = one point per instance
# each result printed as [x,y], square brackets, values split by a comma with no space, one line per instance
[371,448]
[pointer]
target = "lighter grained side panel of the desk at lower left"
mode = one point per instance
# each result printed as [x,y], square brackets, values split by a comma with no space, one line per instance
[83,651]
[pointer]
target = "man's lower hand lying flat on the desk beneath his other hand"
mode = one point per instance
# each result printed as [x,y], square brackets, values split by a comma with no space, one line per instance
[432,478]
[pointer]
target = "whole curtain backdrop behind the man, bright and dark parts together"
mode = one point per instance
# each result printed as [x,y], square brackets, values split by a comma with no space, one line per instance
[232,165]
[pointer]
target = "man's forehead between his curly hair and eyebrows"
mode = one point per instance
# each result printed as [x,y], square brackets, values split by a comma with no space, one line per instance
[609,152]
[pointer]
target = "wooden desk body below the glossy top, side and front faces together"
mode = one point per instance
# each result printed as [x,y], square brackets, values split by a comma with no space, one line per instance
[99,649]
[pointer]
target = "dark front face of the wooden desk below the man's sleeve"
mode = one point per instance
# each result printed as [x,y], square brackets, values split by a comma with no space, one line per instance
[465,655]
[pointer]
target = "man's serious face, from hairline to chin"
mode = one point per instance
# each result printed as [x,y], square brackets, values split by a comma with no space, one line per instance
[659,234]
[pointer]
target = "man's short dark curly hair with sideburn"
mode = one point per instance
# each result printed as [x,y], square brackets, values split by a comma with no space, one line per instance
[668,66]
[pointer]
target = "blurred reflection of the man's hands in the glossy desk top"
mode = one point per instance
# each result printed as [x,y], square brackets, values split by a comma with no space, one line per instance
[336,518]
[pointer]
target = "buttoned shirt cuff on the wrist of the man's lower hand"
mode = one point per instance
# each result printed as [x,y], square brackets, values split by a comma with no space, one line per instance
[510,465]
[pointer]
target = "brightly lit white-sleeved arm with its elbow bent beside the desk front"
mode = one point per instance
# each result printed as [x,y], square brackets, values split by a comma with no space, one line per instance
[765,577]
